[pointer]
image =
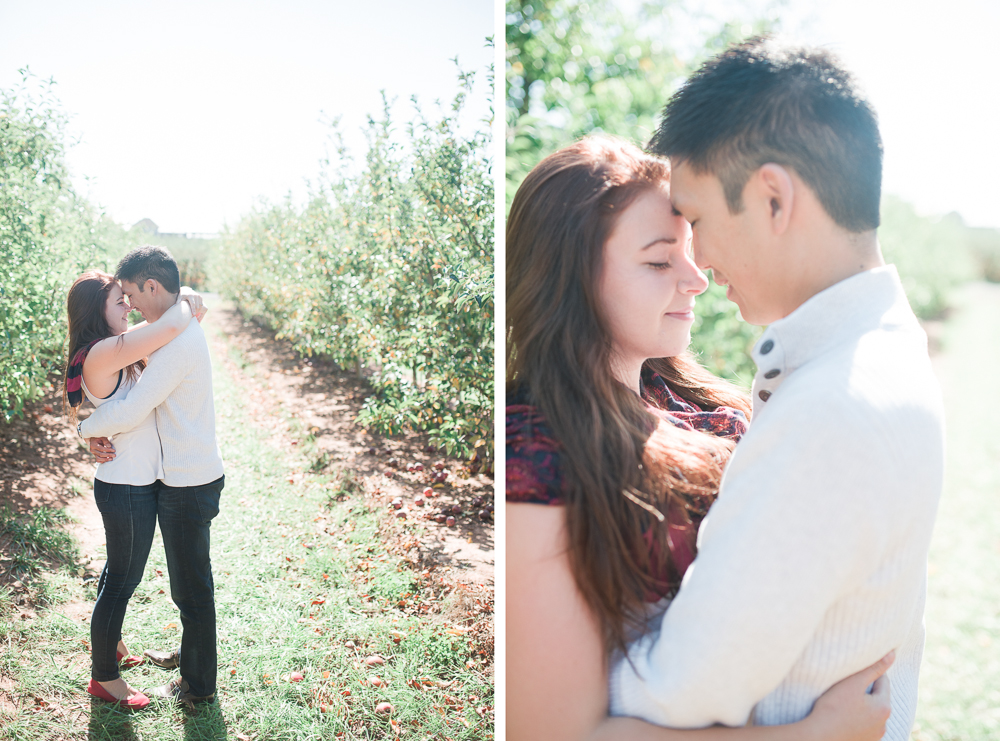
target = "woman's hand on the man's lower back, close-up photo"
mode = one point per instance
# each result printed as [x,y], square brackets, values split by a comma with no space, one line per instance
[846,712]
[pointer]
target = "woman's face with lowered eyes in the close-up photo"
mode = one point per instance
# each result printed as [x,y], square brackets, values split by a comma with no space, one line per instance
[648,282]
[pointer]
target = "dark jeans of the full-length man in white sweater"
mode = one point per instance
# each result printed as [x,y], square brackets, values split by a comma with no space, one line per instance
[185,514]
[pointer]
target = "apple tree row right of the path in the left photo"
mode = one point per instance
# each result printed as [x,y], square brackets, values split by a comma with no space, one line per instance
[388,271]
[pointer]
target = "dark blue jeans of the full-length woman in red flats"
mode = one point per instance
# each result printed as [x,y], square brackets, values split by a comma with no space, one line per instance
[129,514]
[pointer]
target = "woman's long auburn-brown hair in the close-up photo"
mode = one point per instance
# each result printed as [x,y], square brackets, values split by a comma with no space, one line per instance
[622,468]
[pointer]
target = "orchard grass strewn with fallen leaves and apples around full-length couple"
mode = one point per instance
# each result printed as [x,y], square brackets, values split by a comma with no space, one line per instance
[312,576]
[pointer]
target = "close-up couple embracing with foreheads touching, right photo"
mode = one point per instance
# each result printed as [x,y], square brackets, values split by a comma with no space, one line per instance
[685,561]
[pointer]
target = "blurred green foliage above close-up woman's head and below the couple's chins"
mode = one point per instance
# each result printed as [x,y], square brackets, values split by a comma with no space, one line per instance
[575,68]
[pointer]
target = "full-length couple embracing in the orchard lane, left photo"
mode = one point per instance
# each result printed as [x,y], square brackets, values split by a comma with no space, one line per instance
[152,386]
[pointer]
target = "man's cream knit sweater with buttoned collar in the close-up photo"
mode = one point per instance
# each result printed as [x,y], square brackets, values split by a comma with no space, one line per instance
[812,563]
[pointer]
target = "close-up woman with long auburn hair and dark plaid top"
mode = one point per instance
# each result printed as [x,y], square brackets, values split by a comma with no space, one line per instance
[616,444]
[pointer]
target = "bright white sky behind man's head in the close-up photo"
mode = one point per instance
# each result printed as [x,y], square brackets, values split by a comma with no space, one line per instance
[930,69]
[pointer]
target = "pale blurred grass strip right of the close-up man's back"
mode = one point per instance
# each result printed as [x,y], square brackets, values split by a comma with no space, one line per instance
[960,677]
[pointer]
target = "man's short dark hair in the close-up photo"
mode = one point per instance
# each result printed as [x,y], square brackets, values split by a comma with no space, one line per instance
[761,102]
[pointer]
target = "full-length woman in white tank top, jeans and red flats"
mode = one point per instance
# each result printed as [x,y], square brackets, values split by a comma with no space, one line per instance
[104,360]
